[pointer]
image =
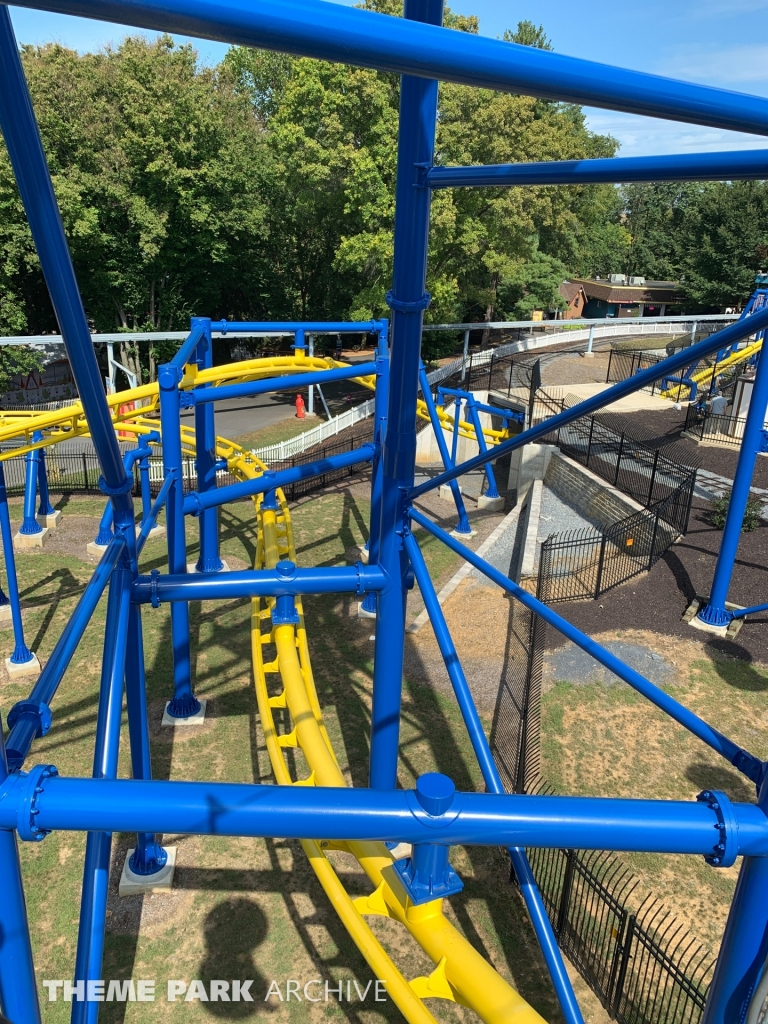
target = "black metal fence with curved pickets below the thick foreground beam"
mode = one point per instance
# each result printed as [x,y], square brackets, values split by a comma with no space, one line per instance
[644,965]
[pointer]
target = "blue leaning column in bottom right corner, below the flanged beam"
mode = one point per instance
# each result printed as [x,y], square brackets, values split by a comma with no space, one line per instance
[744,954]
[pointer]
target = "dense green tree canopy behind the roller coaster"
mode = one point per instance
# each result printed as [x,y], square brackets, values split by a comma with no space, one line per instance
[265,189]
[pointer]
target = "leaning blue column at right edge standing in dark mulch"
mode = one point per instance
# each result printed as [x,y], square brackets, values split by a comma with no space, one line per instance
[715,613]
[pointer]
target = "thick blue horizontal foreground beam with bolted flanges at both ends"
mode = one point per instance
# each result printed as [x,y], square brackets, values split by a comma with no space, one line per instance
[390,816]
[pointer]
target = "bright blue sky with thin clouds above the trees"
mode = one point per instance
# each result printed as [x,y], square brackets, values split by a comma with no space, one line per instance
[716,42]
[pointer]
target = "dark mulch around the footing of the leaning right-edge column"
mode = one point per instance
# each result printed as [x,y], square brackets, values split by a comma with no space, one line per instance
[658,600]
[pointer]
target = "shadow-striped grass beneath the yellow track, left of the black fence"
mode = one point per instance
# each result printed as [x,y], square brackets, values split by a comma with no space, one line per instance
[246,909]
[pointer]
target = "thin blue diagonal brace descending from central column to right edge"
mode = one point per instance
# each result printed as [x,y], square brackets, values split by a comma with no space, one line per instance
[746,762]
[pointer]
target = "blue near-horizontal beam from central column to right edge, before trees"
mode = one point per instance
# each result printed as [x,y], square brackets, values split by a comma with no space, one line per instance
[686,167]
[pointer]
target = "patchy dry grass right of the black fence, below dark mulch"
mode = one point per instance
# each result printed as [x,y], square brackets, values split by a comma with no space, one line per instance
[609,741]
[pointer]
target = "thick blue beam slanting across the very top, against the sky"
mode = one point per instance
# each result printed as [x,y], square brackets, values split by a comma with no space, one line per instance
[371,40]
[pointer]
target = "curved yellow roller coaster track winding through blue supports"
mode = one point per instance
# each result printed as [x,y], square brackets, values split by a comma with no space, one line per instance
[283,677]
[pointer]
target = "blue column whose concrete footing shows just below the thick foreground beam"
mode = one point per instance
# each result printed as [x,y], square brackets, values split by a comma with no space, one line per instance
[149,857]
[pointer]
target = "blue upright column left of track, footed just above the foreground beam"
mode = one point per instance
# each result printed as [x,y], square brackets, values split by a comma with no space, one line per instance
[185,703]
